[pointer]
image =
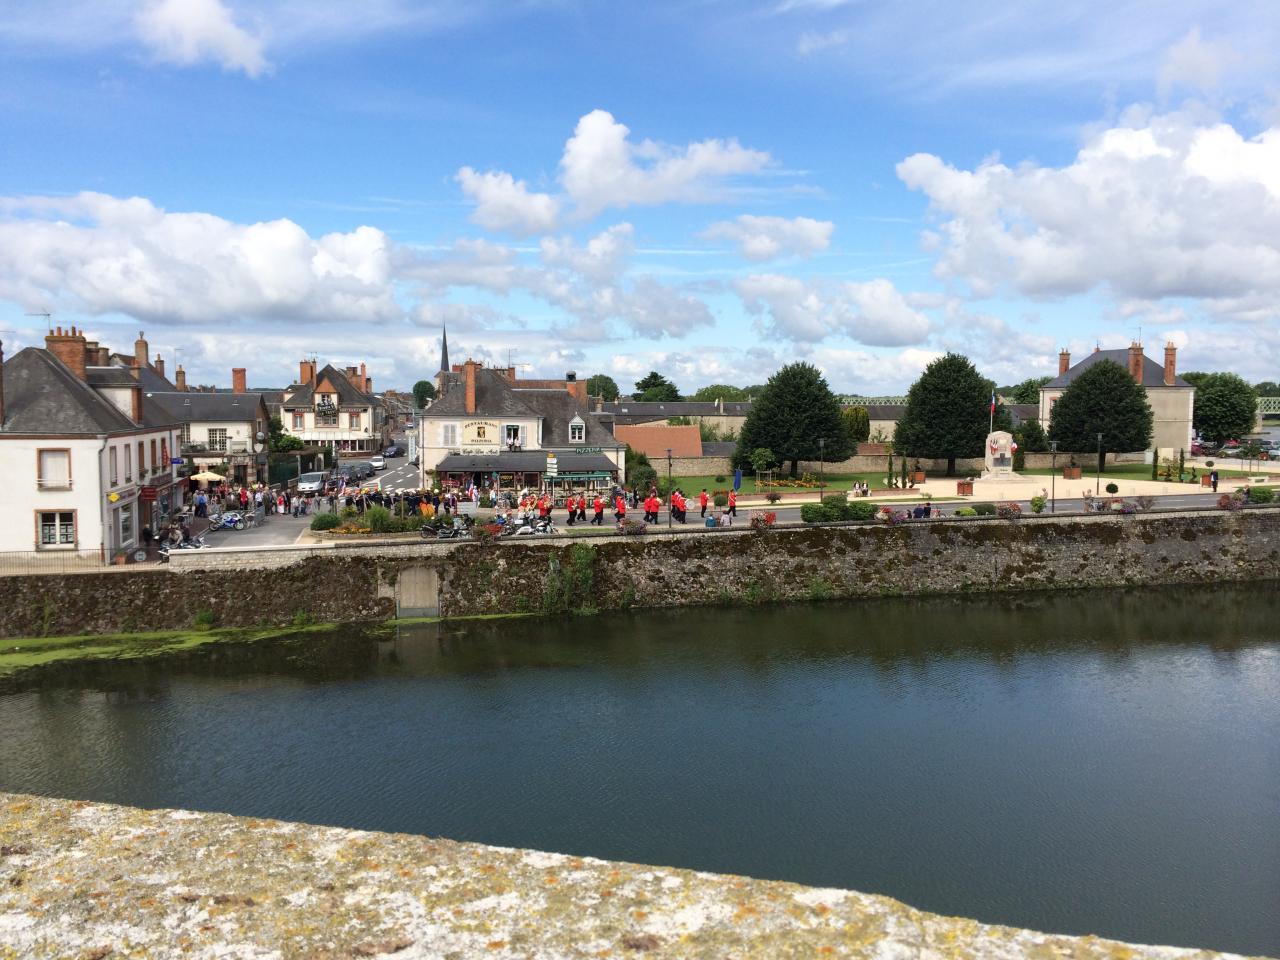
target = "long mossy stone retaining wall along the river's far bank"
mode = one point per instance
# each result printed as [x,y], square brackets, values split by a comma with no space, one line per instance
[360,582]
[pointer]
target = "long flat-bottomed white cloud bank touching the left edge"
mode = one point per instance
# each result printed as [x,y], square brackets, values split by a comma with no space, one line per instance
[99,255]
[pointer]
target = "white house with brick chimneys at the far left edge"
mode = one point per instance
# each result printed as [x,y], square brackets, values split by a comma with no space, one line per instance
[89,459]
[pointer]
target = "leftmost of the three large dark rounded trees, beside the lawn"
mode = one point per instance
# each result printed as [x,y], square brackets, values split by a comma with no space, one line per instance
[796,412]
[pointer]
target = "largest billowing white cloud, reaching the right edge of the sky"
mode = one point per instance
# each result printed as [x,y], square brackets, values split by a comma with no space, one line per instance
[1160,207]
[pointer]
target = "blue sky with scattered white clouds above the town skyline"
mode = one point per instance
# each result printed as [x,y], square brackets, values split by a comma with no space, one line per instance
[708,189]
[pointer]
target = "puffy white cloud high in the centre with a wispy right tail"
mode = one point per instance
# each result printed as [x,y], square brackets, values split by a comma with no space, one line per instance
[602,168]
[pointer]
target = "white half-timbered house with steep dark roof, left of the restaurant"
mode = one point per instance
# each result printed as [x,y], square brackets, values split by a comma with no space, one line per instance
[336,409]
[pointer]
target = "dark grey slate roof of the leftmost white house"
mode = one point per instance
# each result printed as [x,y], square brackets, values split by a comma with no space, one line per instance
[44,397]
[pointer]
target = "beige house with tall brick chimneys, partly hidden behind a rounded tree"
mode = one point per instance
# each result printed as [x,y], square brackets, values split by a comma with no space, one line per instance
[1172,399]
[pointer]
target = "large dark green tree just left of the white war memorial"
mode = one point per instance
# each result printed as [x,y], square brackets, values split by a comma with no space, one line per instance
[948,413]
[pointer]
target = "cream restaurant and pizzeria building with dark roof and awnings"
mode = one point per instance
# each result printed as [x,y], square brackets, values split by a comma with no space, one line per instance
[493,431]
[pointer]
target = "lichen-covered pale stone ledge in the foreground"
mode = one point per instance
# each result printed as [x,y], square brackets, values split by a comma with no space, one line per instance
[99,881]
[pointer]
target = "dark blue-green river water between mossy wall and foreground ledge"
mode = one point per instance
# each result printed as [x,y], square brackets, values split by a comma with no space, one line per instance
[1090,762]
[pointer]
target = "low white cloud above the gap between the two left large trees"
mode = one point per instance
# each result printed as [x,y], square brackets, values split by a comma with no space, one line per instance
[874,313]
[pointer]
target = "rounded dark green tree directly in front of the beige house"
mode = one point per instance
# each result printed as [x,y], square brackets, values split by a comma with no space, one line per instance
[1104,400]
